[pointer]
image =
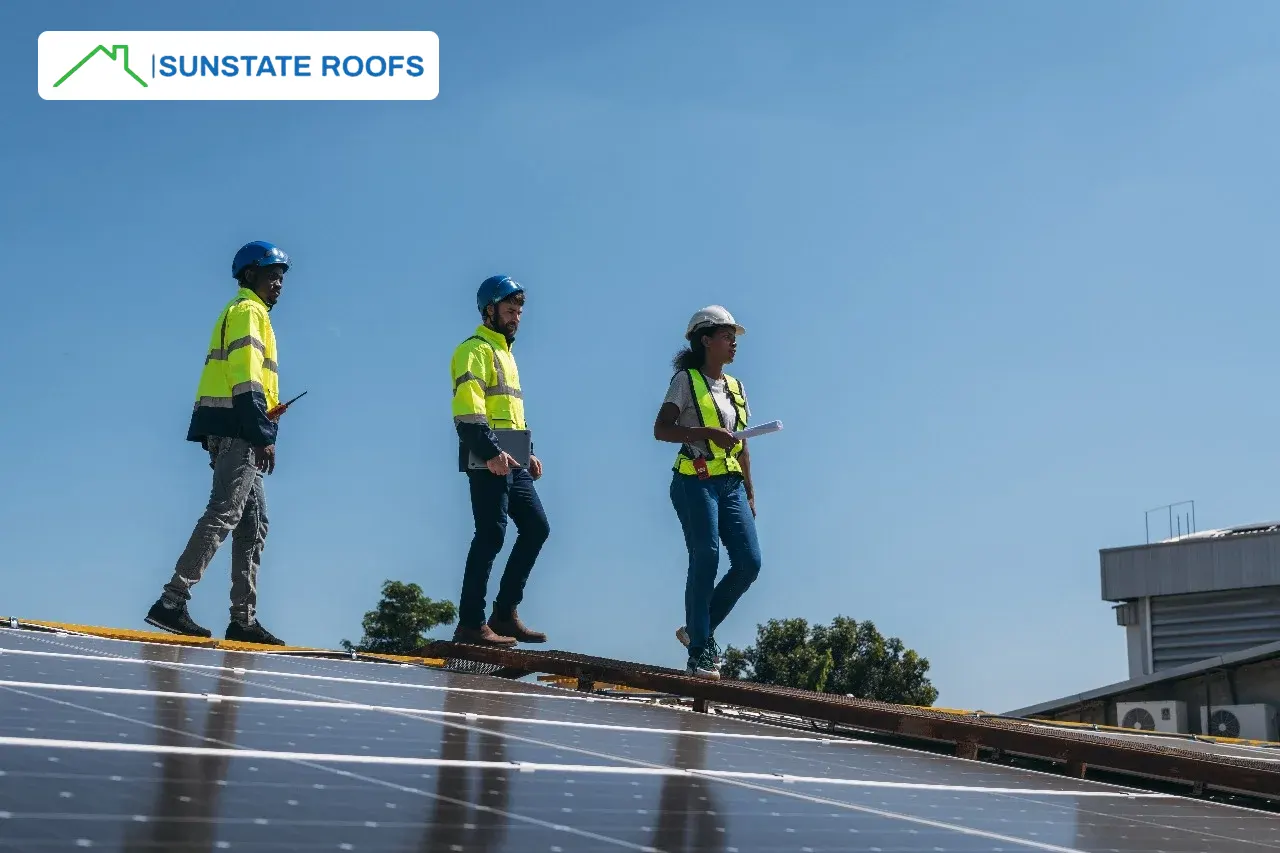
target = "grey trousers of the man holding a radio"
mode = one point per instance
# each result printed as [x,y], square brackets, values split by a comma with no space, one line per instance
[237,507]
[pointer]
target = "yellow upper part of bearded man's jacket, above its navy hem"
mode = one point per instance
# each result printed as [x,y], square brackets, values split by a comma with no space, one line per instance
[487,384]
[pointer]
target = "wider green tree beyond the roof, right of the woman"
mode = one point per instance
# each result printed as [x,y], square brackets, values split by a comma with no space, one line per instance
[845,658]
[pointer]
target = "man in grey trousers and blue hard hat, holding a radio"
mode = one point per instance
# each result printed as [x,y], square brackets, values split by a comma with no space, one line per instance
[236,421]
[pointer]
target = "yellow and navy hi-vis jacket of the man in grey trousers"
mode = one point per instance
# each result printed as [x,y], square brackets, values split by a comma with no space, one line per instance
[240,382]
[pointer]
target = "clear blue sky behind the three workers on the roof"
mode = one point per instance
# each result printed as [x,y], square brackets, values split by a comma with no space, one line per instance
[1008,270]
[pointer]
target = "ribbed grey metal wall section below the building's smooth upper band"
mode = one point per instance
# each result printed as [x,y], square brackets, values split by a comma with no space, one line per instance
[1187,630]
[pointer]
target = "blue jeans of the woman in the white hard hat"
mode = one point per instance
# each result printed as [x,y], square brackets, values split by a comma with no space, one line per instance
[712,512]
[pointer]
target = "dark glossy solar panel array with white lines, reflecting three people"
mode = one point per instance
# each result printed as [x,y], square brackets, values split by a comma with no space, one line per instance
[131,746]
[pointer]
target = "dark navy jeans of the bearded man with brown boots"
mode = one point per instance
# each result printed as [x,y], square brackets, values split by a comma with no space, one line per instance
[493,500]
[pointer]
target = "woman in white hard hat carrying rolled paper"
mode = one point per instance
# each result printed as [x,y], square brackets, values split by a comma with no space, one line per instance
[711,486]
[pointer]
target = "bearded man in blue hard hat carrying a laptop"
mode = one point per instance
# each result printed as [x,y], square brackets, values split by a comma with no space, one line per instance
[488,407]
